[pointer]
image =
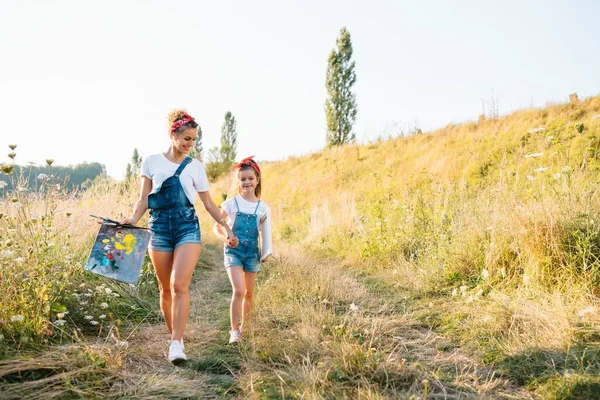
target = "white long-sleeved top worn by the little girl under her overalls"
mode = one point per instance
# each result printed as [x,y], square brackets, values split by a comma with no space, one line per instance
[263,221]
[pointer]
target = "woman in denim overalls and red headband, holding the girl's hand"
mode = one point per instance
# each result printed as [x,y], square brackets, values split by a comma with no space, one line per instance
[170,181]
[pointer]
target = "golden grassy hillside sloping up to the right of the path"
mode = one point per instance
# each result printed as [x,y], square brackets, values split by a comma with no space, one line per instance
[490,229]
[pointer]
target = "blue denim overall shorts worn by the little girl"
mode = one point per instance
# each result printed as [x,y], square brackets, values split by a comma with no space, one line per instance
[245,228]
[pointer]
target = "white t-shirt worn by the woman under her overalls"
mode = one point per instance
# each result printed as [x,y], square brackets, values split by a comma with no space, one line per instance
[193,177]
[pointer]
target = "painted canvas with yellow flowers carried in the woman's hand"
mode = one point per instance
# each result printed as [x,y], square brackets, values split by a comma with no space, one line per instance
[118,251]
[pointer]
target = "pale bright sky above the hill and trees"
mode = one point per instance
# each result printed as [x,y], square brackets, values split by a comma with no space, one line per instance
[90,81]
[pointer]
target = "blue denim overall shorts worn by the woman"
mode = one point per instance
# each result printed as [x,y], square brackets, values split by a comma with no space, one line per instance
[173,220]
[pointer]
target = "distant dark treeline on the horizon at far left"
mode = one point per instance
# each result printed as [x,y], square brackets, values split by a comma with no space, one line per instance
[80,176]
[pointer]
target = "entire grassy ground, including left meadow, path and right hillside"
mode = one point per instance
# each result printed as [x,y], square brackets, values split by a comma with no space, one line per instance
[460,263]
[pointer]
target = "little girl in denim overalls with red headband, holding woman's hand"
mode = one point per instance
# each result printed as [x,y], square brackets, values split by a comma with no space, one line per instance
[250,220]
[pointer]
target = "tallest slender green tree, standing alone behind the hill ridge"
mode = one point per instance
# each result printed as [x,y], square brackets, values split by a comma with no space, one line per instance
[340,105]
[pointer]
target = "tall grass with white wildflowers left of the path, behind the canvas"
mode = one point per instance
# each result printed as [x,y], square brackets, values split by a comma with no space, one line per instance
[45,239]
